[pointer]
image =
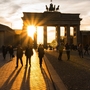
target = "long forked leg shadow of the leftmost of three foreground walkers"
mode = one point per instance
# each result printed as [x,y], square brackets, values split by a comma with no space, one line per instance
[8,84]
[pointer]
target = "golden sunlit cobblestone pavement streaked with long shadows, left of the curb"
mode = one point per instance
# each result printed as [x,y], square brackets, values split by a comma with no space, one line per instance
[22,78]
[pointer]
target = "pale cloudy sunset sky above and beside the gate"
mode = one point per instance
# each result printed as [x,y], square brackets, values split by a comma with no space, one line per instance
[11,11]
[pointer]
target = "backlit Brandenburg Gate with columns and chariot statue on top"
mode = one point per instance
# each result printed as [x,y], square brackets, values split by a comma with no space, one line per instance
[52,17]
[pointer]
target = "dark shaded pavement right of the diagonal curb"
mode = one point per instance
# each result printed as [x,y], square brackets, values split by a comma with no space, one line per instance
[75,73]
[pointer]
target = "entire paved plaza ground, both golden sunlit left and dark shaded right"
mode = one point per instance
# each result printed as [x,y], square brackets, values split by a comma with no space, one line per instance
[54,74]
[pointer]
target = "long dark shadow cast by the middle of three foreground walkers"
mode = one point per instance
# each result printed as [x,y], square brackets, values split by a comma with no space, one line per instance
[25,85]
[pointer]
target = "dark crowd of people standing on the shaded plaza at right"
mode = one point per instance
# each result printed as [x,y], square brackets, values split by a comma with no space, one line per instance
[82,50]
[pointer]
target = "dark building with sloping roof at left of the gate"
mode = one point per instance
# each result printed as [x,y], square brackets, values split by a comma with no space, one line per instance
[9,36]
